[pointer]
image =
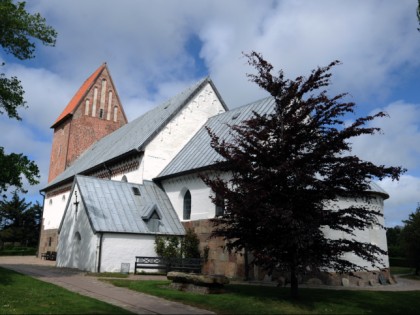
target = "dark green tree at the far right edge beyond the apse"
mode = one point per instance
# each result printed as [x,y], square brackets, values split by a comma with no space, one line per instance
[410,237]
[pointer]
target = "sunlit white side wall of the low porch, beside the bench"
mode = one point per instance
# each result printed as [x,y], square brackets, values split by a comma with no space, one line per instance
[123,248]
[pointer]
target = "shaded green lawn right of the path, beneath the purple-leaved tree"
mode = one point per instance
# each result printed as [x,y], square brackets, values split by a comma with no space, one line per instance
[251,299]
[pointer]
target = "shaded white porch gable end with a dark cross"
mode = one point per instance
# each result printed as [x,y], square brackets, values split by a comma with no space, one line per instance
[77,246]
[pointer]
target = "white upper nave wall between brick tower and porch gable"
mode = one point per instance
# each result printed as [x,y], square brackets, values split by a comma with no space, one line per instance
[54,209]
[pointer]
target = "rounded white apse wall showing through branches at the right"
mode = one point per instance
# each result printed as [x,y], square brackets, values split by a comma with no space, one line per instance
[374,235]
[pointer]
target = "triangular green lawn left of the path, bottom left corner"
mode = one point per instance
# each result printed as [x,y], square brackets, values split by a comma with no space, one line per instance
[20,294]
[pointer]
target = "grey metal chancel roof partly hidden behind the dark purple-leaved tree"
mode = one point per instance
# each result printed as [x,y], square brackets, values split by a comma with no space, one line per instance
[198,153]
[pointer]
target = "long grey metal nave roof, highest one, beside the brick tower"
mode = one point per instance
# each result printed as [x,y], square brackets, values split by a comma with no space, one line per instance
[132,136]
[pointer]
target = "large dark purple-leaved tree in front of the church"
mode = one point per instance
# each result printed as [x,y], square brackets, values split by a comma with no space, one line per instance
[284,167]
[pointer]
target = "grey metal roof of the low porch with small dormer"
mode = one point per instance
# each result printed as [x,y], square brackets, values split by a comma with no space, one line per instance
[112,206]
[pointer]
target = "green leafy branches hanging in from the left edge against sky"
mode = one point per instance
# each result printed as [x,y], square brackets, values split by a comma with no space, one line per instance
[18,30]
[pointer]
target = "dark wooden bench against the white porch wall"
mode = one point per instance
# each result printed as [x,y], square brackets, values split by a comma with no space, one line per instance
[168,264]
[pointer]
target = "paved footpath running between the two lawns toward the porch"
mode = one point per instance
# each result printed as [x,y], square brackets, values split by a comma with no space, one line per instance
[76,281]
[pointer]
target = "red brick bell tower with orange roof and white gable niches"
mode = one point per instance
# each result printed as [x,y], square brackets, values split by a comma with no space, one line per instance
[94,112]
